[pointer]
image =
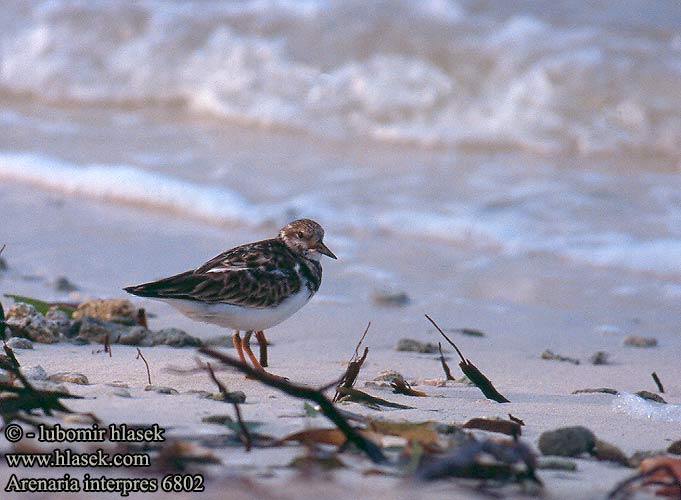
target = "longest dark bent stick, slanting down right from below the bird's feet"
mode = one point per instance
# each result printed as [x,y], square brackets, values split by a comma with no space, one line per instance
[302,392]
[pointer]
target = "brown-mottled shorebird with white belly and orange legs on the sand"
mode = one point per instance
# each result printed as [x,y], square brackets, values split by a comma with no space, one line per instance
[251,287]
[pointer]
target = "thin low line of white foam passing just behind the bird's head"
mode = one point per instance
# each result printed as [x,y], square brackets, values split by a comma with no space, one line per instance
[514,222]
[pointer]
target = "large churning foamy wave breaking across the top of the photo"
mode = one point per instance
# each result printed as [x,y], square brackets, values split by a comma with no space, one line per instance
[430,73]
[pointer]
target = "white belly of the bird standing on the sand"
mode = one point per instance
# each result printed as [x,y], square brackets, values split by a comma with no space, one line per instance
[239,317]
